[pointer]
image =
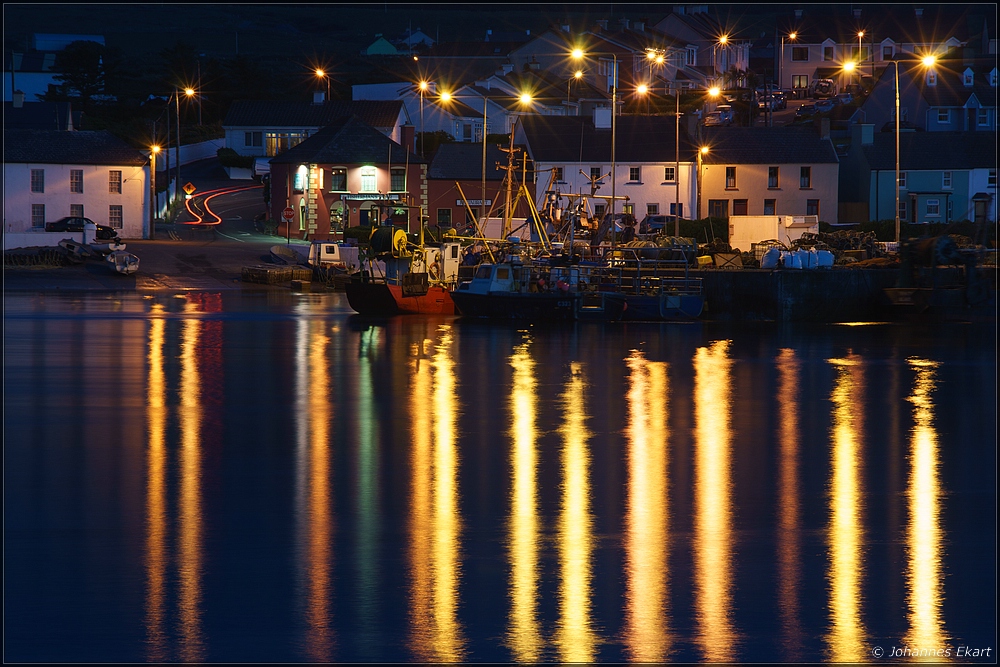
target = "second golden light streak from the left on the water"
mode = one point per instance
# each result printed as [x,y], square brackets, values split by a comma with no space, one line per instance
[190,519]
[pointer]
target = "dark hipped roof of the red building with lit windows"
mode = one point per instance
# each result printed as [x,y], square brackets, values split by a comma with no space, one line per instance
[347,140]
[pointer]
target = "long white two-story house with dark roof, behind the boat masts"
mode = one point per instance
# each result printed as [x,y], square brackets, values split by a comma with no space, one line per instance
[572,155]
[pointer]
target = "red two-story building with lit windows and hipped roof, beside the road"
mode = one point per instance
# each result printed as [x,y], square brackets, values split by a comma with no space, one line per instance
[348,174]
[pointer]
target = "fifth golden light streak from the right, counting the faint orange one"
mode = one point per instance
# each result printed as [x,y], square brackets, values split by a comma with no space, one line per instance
[647,536]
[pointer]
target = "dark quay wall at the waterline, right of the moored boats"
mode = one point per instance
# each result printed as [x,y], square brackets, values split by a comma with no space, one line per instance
[836,295]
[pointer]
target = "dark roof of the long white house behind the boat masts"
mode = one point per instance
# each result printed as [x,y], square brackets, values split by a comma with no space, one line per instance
[575,139]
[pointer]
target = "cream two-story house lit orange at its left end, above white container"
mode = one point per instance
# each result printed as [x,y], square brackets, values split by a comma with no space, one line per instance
[769,171]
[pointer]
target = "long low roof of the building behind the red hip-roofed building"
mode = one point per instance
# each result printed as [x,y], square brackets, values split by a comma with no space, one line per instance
[376,113]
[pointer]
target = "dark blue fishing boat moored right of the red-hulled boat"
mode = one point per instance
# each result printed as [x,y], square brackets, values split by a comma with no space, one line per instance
[538,291]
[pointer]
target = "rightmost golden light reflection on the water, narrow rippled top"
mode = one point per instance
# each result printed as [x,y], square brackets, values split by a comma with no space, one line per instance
[925,538]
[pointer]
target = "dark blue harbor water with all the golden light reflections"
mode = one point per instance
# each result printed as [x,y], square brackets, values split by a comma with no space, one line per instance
[264,476]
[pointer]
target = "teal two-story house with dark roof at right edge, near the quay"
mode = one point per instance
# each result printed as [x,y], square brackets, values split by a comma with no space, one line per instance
[943,176]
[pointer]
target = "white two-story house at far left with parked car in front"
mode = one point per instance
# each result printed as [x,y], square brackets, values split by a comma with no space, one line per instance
[51,174]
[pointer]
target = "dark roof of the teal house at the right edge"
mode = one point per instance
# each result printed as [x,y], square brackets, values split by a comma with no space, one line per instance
[933,151]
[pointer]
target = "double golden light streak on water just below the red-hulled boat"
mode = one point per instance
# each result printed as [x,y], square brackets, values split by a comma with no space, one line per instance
[435,550]
